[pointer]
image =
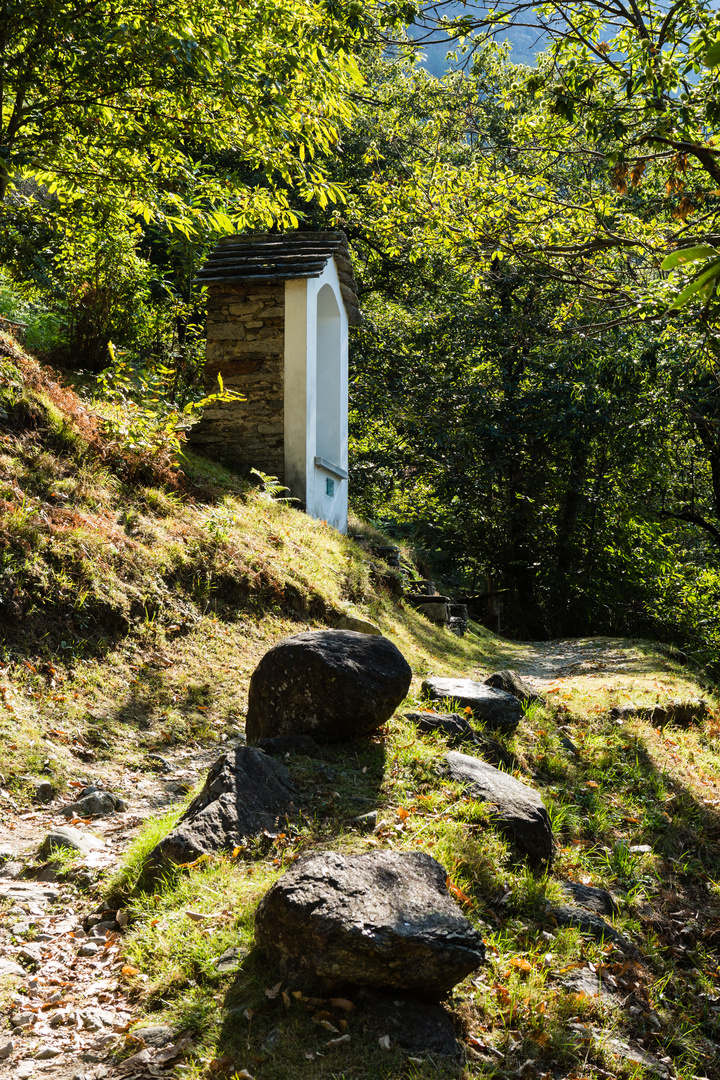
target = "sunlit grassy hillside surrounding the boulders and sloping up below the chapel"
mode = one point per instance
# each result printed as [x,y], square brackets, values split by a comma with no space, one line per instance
[137,601]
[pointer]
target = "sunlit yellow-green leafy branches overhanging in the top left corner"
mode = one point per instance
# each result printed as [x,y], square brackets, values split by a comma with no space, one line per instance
[150,93]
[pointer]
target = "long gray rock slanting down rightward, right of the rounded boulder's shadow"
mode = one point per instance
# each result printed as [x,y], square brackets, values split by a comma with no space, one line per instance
[520,809]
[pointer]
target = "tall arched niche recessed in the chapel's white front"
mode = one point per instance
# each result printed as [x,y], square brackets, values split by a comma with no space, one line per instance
[329,379]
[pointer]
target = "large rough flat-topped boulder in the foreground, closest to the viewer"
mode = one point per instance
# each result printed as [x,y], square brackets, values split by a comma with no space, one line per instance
[383,920]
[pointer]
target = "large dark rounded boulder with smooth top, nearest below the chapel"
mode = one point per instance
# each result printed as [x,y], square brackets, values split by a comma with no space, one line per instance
[334,685]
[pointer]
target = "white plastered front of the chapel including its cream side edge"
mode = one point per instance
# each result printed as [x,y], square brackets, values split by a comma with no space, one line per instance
[316,394]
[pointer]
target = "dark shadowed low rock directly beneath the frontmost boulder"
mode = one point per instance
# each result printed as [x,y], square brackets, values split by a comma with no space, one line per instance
[418,1027]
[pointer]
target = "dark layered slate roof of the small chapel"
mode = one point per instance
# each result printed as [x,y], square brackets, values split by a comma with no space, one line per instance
[270,258]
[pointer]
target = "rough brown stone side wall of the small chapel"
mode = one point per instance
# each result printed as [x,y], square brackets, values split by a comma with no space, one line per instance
[246,344]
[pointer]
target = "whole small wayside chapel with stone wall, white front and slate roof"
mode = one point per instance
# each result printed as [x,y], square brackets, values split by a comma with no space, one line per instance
[279,307]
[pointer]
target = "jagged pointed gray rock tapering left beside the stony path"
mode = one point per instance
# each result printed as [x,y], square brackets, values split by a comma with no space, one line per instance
[246,793]
